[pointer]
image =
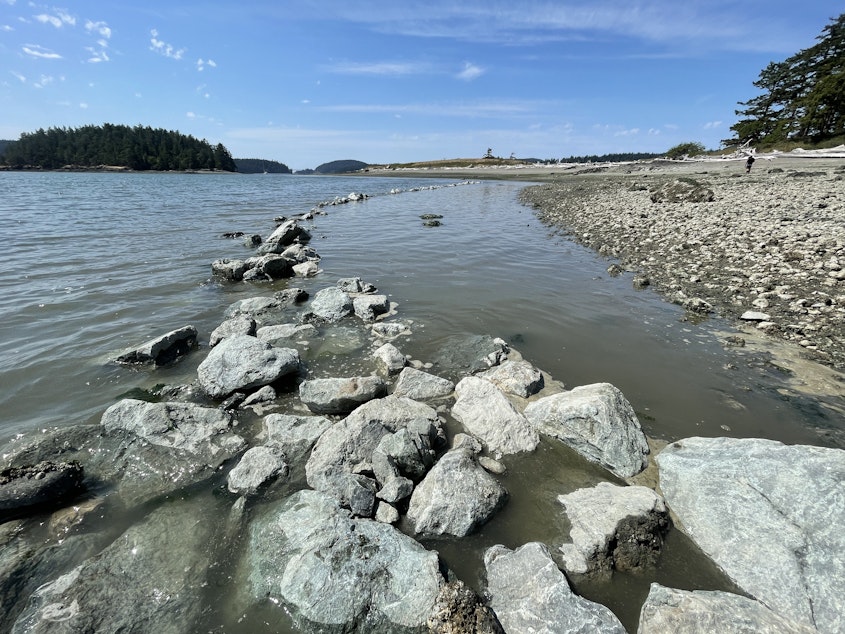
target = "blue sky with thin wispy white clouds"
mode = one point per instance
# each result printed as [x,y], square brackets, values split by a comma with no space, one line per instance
[392,81]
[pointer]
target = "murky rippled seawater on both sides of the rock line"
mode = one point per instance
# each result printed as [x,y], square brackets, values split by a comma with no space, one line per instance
[97,263]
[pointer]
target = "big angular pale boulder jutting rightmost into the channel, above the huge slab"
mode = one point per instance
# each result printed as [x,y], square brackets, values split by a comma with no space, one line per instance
[598,422]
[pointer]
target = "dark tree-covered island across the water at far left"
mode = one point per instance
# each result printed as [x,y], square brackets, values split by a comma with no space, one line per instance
[137,148]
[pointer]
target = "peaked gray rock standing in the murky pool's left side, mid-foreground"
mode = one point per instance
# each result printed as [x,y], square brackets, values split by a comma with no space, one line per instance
[455,497]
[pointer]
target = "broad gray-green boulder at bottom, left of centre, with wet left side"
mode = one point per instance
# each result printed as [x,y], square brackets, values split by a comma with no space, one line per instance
[334,574]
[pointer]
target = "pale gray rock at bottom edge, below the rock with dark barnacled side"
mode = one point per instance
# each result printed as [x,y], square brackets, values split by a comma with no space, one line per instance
[529,594]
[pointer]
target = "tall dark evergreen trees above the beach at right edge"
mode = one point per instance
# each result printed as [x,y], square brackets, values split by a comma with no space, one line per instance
[803,97]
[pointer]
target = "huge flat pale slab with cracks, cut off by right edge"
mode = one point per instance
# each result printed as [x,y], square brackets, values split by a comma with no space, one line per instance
[770,515]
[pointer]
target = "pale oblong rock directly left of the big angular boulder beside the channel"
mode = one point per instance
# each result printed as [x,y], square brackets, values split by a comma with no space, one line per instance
[485,412]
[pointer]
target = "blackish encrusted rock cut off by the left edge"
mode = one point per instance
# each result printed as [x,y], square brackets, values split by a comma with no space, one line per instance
[46,484]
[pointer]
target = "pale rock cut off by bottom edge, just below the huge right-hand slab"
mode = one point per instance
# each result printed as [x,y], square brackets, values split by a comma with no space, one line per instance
[703,612]
